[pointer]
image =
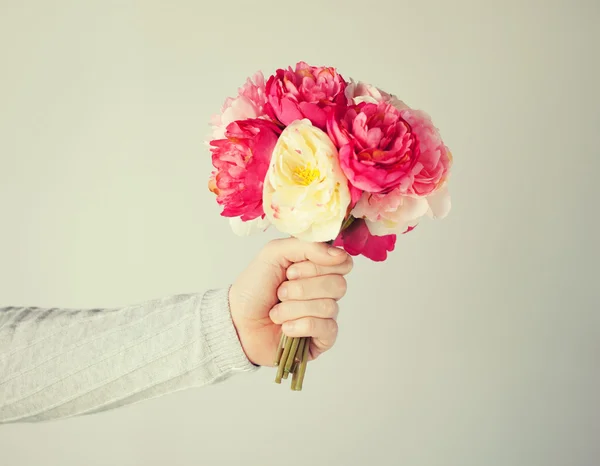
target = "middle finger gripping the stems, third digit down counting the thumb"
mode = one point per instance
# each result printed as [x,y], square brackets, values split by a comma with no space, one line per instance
[323,287]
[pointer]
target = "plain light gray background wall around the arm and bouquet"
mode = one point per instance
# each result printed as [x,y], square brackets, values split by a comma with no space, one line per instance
[477,343]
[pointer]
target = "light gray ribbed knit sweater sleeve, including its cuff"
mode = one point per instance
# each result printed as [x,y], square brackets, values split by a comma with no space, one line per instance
[59,363]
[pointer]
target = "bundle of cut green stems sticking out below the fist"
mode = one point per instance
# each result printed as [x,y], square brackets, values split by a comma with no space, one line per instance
[292,358]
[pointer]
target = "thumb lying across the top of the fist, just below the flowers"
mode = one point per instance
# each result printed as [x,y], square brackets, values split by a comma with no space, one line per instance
[285,252]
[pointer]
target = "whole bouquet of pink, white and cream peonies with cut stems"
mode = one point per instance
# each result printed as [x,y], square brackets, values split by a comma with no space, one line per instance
[325,159]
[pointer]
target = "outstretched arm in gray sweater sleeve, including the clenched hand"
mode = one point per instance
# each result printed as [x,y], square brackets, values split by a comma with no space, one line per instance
[59,363]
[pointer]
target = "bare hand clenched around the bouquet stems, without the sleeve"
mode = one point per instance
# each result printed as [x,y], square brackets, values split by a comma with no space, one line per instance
[304,305]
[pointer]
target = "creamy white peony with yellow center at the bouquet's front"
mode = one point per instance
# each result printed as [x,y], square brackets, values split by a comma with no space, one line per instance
[306,194]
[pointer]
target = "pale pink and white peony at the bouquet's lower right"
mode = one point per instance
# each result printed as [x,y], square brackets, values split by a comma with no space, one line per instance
[396,213]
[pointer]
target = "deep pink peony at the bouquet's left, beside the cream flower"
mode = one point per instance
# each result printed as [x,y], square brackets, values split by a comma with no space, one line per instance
[241,161]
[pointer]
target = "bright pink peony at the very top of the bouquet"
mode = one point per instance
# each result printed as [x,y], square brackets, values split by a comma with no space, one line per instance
[306,92]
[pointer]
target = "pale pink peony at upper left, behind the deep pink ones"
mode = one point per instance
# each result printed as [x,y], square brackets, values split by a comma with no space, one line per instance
[249,103]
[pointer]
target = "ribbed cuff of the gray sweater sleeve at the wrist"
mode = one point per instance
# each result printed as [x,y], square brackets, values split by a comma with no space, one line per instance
[220,335]
